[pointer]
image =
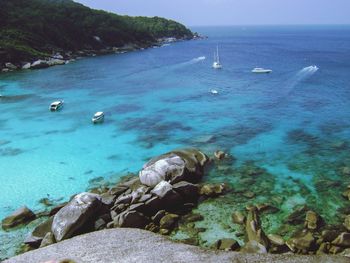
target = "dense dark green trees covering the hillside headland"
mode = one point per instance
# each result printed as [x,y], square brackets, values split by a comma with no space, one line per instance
[35,28]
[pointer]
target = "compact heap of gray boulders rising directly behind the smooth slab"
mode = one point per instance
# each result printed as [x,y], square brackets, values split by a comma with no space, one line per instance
[165,190]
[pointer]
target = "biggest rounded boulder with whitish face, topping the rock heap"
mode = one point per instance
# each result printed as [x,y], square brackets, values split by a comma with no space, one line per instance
[176,166]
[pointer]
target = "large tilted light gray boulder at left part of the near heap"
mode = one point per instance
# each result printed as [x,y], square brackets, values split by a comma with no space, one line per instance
[81,209]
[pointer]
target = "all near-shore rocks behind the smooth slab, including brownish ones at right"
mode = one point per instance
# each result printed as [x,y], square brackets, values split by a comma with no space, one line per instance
[163,198]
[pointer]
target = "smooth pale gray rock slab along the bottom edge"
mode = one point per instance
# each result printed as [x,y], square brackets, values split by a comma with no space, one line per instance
[135,245]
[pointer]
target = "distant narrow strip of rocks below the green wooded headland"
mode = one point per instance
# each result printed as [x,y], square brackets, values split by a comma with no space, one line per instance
[61,57]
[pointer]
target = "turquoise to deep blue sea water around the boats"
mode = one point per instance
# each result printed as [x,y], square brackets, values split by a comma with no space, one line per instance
[159,99]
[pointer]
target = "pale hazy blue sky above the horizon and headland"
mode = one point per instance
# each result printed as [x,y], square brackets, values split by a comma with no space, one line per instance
[233,12]
